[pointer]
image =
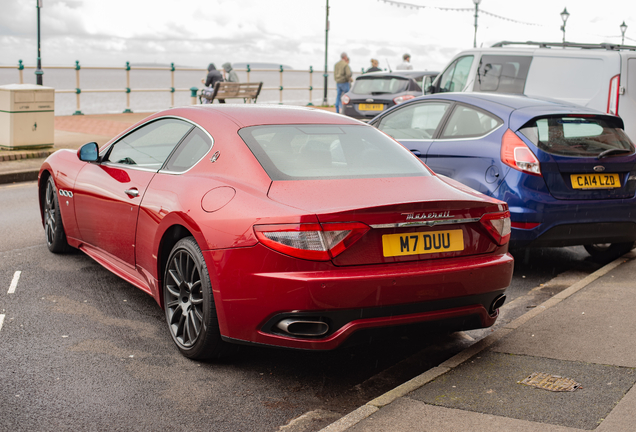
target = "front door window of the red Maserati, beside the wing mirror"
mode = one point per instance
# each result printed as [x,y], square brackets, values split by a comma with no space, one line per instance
[150,145]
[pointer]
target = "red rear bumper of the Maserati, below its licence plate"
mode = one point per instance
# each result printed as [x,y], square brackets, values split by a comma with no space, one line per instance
[255,288]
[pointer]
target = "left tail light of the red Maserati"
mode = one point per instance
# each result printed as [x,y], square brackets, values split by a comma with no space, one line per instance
[311,241]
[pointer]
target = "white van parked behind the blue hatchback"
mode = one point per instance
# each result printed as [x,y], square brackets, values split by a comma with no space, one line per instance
[599,76]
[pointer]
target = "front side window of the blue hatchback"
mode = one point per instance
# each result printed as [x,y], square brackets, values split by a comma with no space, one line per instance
[416,121]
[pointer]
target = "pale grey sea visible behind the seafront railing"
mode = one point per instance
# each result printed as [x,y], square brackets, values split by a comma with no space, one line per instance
[108,103]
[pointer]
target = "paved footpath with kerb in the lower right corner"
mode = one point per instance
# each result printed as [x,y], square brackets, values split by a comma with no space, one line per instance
[585,335]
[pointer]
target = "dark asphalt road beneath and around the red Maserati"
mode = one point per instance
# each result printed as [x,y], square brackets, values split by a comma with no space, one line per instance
[82,349]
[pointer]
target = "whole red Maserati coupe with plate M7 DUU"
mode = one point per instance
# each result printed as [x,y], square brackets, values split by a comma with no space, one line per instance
[283,226]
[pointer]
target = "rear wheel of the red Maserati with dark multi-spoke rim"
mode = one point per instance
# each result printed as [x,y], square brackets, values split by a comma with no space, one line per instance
[189,303]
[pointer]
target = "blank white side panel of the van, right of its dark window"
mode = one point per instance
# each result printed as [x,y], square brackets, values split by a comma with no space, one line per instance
[576,80]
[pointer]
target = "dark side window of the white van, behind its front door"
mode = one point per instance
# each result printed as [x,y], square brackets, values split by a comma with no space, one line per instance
[502,74]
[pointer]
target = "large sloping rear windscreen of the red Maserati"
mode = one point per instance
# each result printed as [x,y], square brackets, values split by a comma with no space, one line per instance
[305,152]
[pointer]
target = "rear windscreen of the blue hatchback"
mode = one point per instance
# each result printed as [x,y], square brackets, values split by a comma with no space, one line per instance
[585,136]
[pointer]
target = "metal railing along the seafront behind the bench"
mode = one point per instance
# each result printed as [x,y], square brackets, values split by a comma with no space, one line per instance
[172,69]
